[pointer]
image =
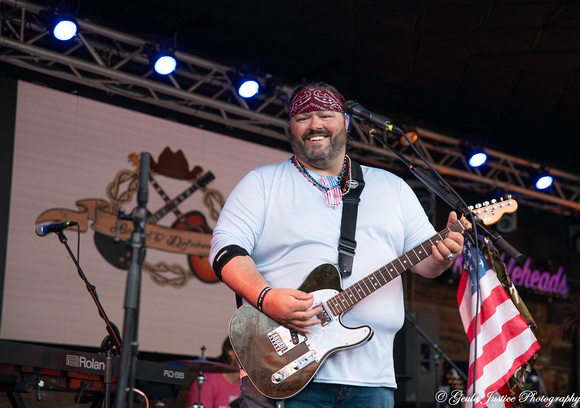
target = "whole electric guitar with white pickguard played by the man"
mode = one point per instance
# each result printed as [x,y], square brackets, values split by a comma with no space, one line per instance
[280,362]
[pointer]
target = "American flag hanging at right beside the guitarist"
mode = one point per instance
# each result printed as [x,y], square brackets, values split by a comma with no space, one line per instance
[504,340]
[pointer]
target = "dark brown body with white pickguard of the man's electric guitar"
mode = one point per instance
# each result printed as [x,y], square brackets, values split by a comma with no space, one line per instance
[281,362]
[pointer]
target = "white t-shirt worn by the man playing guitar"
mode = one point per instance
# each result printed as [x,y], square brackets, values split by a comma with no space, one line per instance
[285,224]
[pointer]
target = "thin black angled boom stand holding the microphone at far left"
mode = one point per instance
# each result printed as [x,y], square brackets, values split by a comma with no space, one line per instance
[113,336]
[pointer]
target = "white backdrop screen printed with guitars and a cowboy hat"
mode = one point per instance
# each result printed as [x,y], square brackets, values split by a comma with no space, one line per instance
[70,149]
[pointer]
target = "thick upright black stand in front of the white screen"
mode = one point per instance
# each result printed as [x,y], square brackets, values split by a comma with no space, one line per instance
[128,362]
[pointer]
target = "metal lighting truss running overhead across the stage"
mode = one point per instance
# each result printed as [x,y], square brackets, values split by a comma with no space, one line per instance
[117,63]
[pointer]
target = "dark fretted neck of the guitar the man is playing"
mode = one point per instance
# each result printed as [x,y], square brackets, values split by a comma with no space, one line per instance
[349,297]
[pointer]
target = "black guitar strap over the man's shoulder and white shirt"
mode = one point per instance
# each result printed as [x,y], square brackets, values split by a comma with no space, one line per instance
[347,243]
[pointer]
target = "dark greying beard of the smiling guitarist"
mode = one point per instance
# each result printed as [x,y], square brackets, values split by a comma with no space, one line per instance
[320,158]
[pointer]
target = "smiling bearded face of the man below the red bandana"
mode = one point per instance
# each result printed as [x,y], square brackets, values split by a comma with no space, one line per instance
[319,138]
